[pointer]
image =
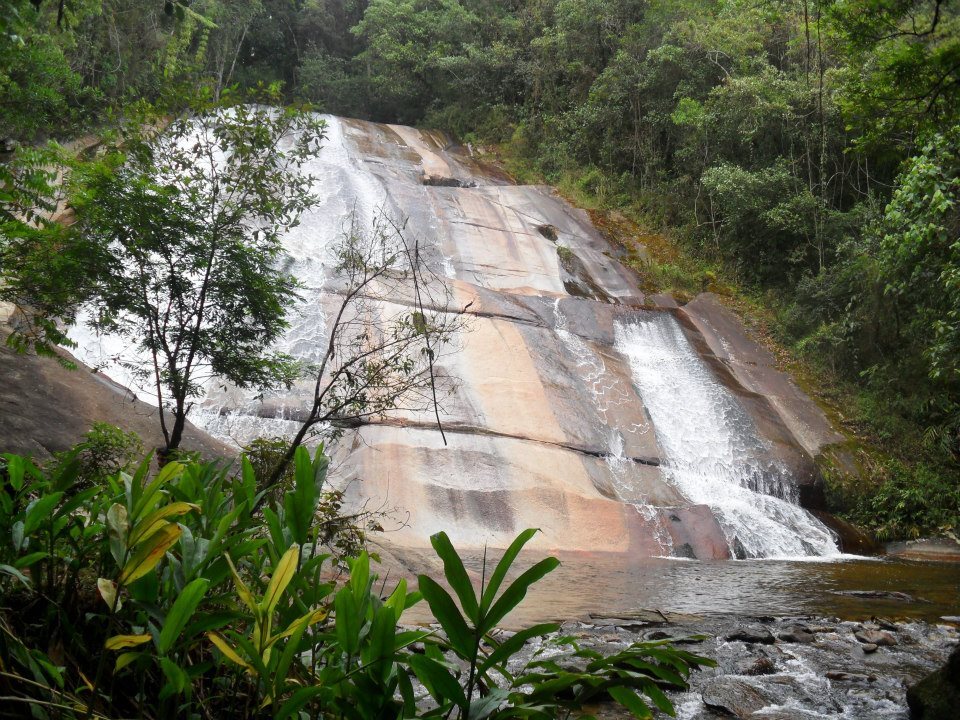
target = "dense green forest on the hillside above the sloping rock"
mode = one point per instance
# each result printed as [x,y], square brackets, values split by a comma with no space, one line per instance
[803,155]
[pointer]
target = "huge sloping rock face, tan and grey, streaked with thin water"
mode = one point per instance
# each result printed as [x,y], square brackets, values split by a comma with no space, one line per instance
[549,426]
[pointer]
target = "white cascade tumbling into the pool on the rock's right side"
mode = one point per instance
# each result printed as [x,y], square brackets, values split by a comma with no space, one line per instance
[712,452]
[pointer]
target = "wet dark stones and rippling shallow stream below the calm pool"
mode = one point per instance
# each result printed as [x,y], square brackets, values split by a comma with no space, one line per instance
[829,677]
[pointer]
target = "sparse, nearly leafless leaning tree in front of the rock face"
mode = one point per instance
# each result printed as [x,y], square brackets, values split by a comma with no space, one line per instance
[391,321]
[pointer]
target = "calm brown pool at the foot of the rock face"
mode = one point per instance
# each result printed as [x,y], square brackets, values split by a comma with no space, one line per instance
[609,586]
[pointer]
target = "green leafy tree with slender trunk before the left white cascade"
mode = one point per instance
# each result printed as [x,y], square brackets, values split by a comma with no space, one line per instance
[177,246]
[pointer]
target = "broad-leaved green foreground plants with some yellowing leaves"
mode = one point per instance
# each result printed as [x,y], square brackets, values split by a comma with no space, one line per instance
[130,594]
